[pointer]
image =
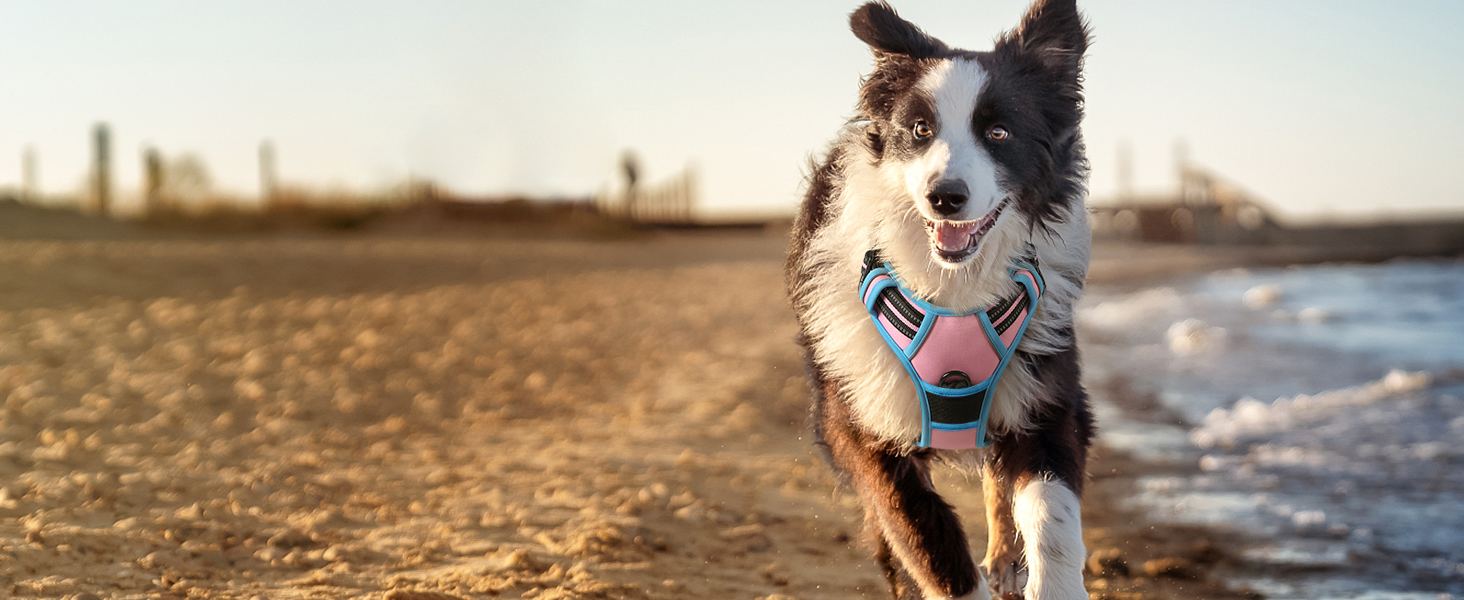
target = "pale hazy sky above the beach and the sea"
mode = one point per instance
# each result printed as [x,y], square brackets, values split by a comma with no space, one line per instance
[1323,109]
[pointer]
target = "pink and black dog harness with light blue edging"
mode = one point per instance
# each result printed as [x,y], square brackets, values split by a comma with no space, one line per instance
[955,359]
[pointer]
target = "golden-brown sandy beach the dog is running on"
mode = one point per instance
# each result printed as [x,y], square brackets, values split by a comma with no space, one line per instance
[414,418]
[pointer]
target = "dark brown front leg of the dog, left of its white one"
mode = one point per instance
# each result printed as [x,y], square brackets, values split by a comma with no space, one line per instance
[922,530]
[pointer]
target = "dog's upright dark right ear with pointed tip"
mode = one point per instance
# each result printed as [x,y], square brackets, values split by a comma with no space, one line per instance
[1055,34]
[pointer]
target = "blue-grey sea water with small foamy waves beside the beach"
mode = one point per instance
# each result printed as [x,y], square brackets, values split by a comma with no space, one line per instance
[1321,410]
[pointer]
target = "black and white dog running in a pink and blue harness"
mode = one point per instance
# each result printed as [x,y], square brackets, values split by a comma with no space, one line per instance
[961,187]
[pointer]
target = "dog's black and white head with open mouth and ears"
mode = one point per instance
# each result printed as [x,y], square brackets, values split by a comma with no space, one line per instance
[973,146]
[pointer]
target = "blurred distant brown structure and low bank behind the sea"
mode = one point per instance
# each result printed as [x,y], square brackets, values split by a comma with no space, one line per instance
[1207,209]
